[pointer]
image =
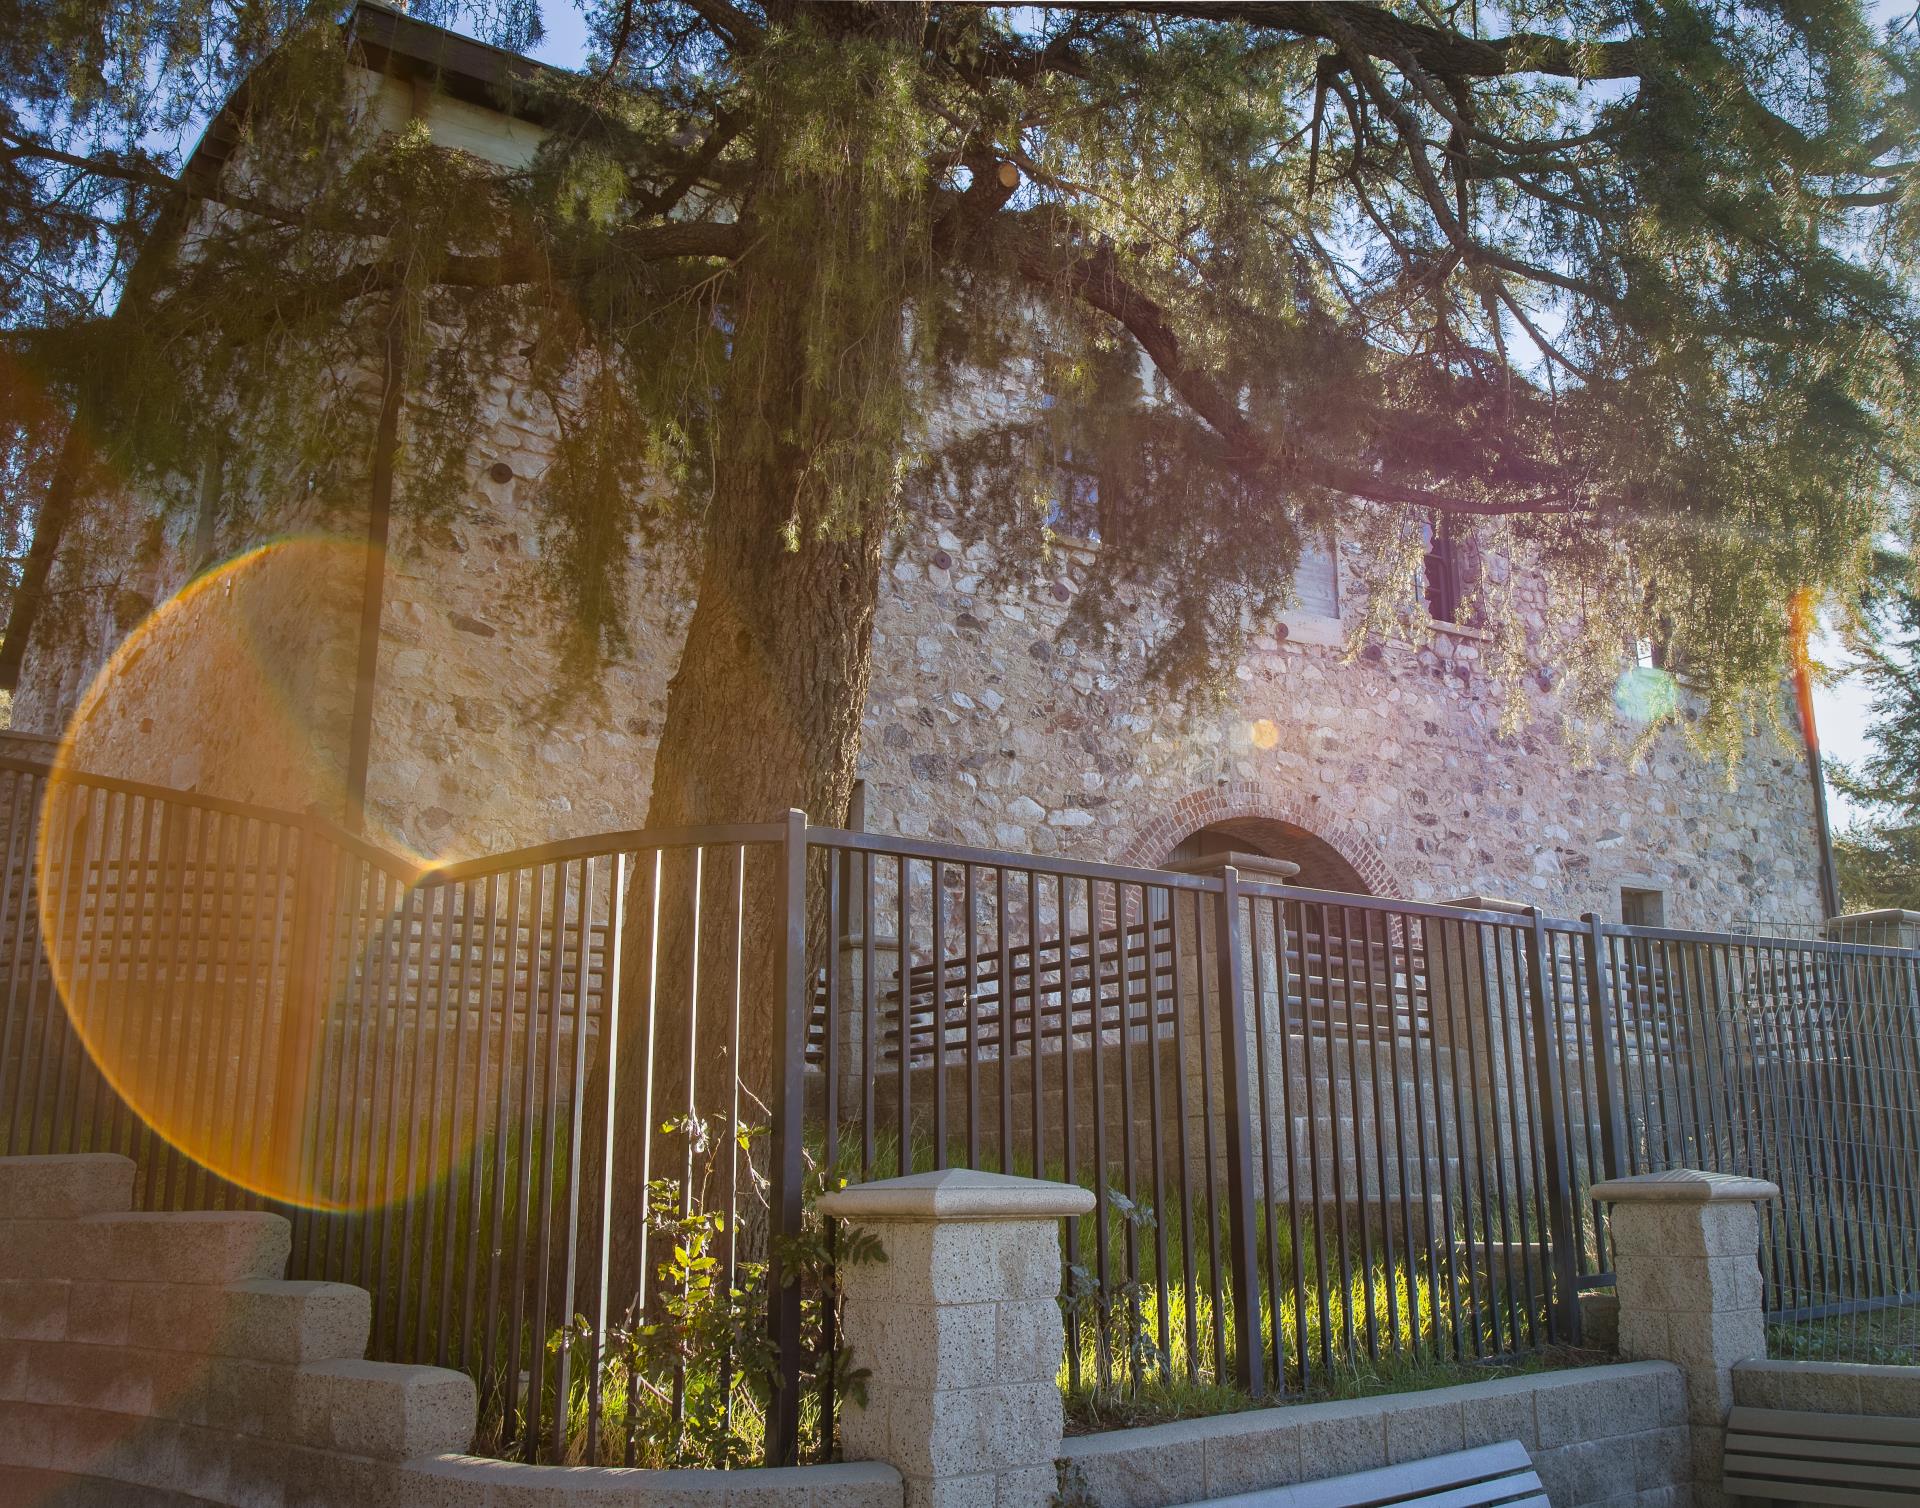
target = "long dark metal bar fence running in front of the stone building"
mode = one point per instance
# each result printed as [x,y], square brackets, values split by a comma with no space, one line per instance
[562,1111]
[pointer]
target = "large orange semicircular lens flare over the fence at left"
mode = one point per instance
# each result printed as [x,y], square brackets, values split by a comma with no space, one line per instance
[187,936]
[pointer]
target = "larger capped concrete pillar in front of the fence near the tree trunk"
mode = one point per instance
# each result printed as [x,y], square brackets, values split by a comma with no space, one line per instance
[961,1330]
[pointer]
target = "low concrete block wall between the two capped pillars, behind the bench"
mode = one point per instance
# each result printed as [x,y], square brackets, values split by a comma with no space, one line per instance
[1602,1438]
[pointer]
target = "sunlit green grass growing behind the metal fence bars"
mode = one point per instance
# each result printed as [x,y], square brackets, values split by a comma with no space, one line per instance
[1147,1342]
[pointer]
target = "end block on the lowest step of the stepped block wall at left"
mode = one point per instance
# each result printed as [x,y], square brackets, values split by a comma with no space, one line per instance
[383,1409]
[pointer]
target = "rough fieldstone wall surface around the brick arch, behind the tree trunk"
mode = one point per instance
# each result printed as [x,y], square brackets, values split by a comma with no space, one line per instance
[986,725]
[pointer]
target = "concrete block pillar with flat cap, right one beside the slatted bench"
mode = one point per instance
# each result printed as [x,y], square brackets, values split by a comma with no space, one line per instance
[1689,1278]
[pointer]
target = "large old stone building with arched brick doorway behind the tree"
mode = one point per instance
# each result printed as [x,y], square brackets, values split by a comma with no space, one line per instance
[1380,771]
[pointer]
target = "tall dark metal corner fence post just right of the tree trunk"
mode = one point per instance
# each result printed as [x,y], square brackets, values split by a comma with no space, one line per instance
[788,1171]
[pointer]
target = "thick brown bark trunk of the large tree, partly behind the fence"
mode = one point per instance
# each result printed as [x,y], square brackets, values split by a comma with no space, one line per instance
[765,710]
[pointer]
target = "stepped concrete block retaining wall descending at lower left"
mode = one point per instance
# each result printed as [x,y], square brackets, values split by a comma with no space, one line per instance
[160,1359]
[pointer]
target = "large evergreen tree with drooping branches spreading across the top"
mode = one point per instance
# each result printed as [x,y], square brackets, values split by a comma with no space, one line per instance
[1625,287]
